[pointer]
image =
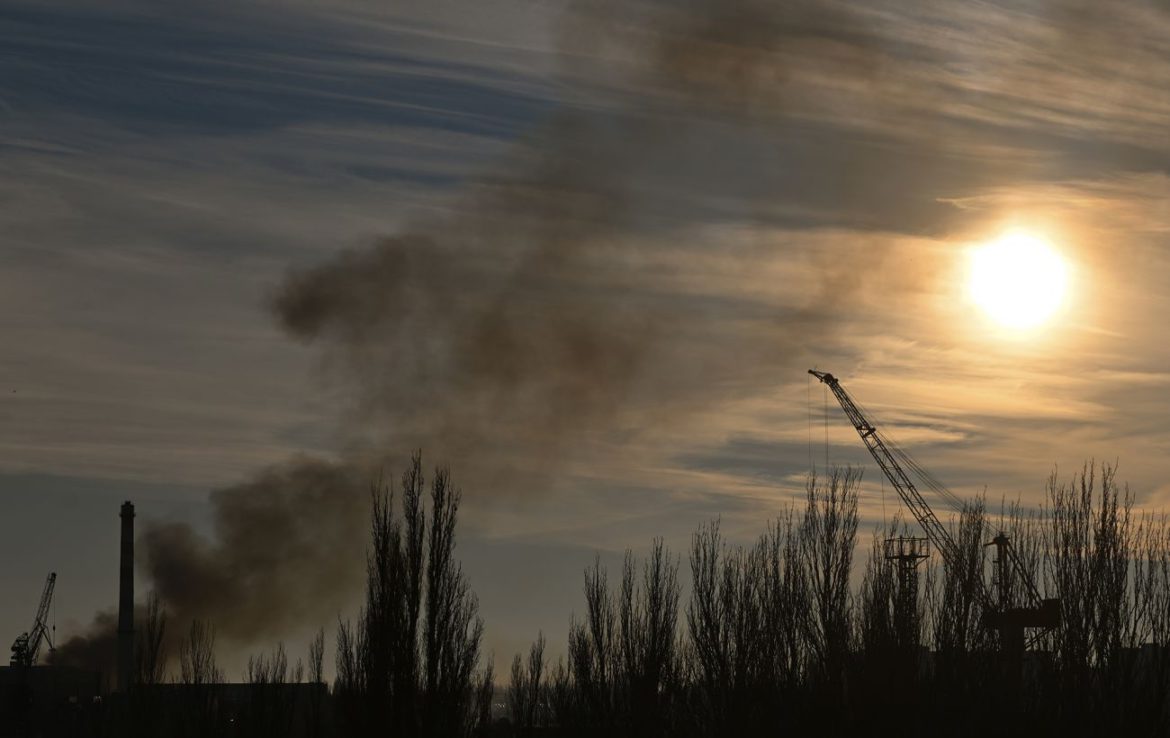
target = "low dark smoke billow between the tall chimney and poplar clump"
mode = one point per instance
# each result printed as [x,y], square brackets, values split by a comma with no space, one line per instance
[288,551]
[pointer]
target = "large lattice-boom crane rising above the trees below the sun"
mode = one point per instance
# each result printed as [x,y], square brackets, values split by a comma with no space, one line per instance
[1002,615]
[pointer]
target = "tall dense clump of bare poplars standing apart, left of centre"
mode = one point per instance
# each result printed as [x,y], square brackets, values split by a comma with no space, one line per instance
[411,660]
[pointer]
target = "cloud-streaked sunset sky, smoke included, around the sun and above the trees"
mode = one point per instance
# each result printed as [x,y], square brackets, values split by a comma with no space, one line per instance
[581,253]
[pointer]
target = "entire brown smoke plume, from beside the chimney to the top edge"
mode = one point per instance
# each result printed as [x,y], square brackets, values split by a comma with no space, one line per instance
[560,304]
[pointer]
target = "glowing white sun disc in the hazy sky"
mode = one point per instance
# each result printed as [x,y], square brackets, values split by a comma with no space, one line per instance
[1018,280]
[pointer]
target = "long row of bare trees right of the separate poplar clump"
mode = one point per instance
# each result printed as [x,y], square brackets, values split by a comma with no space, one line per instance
[774,640]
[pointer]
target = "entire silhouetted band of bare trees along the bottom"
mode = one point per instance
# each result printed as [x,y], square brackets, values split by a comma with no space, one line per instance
[786,637]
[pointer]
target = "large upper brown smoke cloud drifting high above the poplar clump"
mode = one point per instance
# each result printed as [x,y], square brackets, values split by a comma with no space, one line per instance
[562,301]
